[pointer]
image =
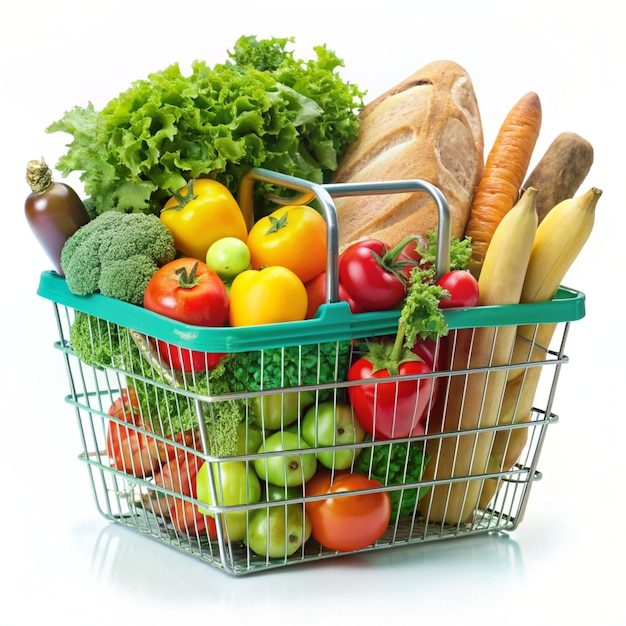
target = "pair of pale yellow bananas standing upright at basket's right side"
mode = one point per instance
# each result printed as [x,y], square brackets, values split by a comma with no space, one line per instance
[526,261]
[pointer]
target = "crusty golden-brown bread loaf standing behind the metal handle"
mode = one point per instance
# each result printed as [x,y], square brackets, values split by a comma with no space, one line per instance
[427,127]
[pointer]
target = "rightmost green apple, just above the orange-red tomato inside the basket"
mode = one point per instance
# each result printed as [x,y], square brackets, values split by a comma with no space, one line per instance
[331,424]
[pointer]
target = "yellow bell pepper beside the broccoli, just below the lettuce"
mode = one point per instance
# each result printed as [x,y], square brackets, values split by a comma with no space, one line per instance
[201,213]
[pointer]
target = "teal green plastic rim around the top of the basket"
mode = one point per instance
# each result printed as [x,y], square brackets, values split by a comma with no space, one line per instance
[333,322]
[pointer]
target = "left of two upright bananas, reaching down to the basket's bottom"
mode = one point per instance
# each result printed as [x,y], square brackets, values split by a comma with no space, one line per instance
[474,399]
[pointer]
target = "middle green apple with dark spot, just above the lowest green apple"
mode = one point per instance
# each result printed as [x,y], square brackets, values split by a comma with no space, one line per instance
[285,470]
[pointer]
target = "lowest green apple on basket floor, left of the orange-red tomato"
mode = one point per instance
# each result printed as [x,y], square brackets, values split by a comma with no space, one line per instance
[278,531]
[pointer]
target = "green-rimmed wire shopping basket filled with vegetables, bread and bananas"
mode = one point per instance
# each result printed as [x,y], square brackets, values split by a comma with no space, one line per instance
[304,337]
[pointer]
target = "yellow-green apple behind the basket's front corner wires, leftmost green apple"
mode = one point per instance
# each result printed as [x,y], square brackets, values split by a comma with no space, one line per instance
[235,484]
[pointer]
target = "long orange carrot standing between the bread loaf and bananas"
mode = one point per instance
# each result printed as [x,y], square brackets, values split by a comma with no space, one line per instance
[503,176]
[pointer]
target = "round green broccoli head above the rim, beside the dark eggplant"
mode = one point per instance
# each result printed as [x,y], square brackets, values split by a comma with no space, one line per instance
[116,254]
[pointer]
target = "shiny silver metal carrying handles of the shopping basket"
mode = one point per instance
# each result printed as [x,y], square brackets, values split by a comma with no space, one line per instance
[324,194]
